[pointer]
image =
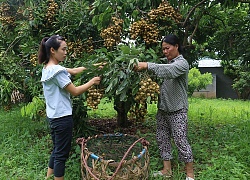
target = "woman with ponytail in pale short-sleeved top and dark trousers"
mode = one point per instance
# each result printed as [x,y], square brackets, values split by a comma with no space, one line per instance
[58,87]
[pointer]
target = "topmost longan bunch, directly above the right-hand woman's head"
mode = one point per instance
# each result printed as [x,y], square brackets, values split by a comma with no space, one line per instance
[164,12]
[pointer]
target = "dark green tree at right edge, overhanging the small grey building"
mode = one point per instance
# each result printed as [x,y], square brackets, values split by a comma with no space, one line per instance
[233,46]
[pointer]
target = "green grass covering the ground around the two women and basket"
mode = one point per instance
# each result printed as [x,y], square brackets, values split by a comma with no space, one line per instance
[219,132]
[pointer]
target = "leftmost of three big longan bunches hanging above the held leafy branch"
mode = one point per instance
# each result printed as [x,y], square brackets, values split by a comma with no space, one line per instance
[112,34]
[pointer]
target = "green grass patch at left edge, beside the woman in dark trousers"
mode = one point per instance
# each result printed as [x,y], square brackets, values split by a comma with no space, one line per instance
[25,144]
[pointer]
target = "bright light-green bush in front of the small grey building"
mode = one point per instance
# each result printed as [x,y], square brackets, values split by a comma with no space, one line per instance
[198,81]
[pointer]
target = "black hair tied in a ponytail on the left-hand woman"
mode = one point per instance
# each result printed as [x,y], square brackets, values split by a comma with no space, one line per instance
[45,45]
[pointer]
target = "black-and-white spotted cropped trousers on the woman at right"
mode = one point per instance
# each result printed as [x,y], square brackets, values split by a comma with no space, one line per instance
[173,125]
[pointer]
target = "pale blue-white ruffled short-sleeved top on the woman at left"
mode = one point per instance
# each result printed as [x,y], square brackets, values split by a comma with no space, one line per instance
[58,103]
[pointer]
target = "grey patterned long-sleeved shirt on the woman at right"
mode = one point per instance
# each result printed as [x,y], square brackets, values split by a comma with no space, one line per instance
[173,90]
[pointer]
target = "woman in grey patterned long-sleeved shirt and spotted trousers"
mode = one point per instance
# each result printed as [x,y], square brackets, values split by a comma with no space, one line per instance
[172,105]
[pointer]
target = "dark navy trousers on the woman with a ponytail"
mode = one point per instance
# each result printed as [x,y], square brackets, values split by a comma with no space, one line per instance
[61,133]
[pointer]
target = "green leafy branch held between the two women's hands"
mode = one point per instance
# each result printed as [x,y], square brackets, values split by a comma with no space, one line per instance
[118,77]
